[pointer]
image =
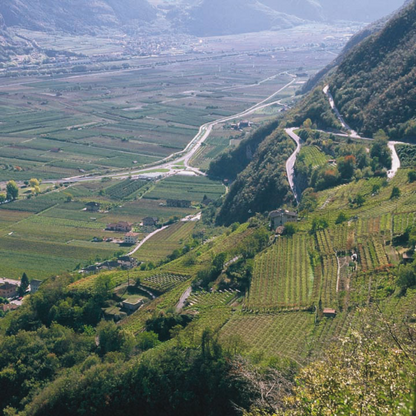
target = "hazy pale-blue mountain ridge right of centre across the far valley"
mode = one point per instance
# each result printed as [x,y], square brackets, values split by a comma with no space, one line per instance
[222,17]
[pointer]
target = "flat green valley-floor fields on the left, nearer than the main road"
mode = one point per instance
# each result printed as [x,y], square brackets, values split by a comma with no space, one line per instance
[46,235]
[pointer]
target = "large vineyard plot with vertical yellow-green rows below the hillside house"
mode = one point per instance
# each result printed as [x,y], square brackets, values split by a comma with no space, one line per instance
[283,276]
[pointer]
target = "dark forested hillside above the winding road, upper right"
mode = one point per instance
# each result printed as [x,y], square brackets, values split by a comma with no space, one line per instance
[374,86]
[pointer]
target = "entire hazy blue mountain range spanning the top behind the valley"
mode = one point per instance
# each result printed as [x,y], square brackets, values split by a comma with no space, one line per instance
[196,17]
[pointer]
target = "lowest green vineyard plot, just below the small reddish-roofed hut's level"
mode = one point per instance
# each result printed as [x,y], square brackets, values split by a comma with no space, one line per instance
[282,334]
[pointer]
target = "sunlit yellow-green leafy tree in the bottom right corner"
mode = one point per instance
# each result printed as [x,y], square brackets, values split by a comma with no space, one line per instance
[366,374]
